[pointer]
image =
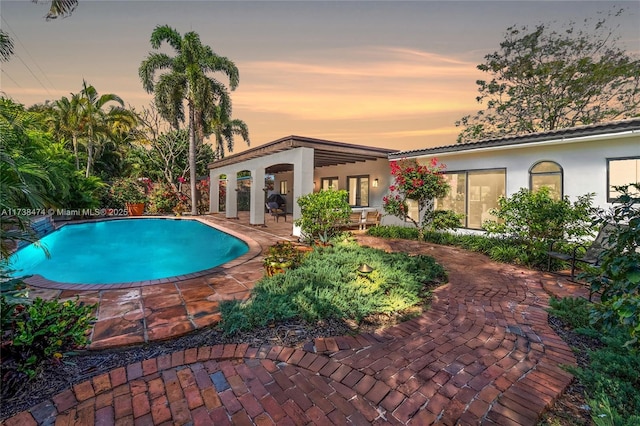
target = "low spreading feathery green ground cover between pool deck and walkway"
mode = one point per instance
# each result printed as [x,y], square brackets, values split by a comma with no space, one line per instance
[315,291]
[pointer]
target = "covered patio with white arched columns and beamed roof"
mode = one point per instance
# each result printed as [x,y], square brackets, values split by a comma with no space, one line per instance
[292,167]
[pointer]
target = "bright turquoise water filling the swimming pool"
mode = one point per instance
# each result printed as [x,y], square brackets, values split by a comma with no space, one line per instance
[129,250]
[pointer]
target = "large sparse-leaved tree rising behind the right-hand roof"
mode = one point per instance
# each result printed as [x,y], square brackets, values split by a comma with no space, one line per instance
[546,79]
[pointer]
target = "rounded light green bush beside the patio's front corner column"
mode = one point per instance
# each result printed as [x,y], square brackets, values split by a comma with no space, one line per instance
[323,213]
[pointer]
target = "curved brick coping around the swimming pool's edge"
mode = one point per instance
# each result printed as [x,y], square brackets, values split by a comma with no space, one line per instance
[254,250]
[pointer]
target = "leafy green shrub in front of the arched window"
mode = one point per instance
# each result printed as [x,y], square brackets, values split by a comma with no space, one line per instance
[535,219]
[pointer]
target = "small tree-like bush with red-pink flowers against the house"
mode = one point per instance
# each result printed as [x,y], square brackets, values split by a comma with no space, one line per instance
[421,184]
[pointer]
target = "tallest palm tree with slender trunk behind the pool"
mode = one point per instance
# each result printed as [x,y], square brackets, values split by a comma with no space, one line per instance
[187,80]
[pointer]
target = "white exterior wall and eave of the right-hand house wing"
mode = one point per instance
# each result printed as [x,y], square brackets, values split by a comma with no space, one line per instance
[583,161]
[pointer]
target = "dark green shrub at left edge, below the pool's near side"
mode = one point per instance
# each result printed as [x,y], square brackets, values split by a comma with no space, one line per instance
[44,330]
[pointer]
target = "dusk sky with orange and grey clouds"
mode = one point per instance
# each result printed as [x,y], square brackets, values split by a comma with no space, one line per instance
[387,74]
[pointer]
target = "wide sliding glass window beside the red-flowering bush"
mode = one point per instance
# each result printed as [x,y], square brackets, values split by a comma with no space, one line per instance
[473,194]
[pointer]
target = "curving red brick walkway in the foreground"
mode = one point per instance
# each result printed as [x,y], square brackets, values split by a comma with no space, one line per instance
[483,354]
